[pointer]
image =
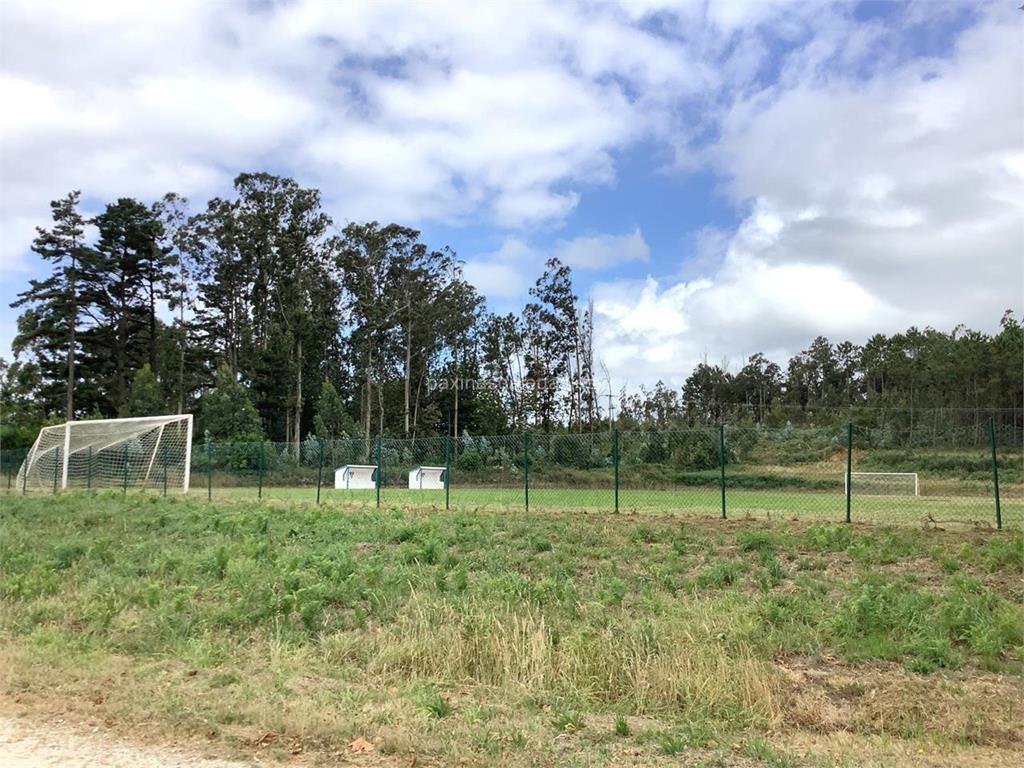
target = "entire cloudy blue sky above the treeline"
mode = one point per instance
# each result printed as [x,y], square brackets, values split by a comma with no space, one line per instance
[723,178]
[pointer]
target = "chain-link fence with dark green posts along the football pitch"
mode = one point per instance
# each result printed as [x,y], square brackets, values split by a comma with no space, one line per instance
[841,473]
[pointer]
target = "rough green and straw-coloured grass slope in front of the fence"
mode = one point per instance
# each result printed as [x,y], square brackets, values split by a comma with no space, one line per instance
[542,638]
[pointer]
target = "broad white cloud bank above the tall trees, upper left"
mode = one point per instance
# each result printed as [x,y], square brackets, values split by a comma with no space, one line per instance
[449,112]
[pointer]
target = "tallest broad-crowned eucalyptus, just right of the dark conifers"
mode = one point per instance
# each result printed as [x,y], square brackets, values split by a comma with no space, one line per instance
[269,298]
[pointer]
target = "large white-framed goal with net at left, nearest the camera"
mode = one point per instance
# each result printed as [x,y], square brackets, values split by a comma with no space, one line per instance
[149,452]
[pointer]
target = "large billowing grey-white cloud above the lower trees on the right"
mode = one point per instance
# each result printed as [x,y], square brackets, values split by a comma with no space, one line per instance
[877,204]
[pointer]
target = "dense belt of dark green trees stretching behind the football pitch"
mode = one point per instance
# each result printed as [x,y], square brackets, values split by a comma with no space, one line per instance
[262,317]
